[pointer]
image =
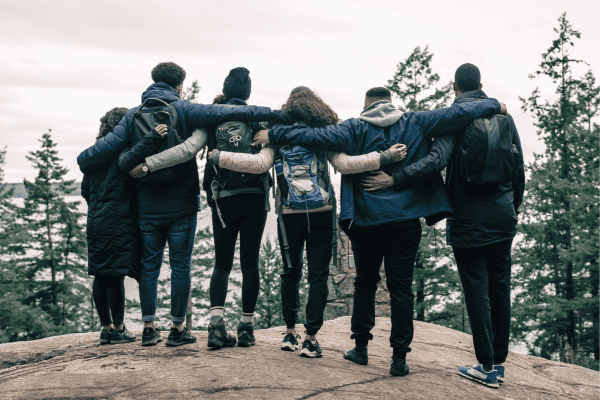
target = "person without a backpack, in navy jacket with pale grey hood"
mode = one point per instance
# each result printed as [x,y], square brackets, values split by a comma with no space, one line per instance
[384,226]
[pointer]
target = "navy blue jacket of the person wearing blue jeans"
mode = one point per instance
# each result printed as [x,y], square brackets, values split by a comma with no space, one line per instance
[181,197]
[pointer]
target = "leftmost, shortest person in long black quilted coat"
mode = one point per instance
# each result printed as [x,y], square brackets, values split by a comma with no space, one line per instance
[112,235]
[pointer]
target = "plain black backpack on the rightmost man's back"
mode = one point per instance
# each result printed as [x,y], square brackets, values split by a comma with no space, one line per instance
[485,153]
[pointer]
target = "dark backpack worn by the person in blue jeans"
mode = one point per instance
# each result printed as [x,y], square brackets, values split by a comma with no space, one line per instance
[145,119]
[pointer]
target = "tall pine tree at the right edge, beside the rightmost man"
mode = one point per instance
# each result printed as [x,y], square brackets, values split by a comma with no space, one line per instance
[556,307]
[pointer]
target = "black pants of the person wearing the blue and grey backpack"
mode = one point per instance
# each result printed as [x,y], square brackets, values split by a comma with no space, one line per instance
[318,256]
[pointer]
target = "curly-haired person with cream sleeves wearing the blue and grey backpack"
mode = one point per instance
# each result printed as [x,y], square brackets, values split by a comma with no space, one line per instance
[313,228]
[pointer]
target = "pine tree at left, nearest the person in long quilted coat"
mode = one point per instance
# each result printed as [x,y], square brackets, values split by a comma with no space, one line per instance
[55,267]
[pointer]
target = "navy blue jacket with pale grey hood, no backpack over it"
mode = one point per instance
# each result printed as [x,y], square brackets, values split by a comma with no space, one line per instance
[378,127]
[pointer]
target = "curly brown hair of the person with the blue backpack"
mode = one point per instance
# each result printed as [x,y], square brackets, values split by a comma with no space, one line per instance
[306,106]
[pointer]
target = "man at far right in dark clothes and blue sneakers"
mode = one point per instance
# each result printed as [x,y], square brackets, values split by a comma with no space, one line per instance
[480,231]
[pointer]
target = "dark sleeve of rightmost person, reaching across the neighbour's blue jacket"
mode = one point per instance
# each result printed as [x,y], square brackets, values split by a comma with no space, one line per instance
[438,158]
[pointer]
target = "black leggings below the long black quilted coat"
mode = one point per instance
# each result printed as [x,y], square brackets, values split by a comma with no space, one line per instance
[109,296]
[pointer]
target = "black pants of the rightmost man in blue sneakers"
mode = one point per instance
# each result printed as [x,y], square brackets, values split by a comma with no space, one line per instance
[485,276]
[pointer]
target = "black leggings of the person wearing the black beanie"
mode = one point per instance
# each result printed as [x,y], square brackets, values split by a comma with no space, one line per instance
[244,214]
